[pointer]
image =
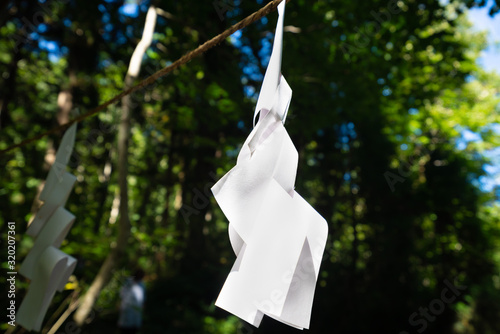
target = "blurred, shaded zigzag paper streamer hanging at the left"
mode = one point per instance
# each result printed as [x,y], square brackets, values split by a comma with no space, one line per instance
[46,266]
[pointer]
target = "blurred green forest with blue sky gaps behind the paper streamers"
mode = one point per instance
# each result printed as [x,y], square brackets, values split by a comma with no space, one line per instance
[386,98]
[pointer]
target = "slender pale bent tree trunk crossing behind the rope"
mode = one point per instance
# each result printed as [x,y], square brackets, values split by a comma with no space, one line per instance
[116,253]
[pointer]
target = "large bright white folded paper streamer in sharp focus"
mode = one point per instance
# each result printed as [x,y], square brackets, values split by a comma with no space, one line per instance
[279,239]
